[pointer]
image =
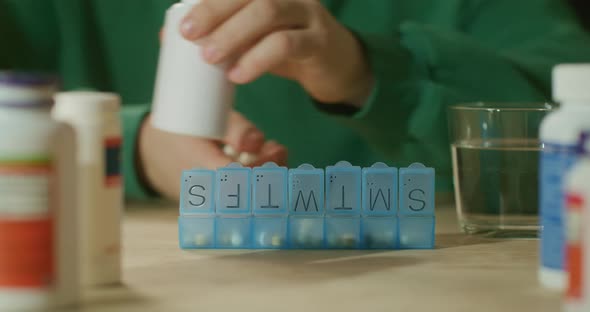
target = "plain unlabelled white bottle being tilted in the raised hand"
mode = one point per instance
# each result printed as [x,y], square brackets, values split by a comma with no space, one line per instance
[191,97]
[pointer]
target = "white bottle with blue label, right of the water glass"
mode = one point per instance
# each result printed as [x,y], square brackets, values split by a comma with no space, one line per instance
[559,134]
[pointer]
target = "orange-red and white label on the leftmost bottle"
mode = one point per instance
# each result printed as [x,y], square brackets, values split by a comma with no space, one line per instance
[26,223]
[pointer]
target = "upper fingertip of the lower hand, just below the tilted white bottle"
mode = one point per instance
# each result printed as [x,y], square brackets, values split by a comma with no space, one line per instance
[242,135]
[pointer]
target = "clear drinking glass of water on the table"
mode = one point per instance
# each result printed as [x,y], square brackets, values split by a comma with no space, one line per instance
[495,149]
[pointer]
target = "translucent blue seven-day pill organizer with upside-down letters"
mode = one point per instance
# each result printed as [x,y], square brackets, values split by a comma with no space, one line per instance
[341,207]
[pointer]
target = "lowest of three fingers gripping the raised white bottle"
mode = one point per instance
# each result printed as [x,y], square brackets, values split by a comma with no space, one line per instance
[273,50]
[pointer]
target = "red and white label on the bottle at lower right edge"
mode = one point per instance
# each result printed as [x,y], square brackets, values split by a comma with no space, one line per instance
[575,245]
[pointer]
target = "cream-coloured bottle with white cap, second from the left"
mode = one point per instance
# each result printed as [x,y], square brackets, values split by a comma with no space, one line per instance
[95,118]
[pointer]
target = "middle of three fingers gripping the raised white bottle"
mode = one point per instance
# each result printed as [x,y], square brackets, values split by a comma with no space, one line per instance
[251,23]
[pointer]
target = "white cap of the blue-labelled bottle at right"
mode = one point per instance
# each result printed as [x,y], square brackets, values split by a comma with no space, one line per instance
[571,83]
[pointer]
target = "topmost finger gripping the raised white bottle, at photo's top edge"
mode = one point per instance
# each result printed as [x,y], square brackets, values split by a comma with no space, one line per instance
[207,15]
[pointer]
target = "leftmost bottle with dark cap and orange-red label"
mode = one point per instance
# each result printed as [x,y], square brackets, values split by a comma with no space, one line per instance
[38,237]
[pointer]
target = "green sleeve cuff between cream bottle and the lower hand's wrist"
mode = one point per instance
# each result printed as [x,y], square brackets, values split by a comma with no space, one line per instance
[132,117]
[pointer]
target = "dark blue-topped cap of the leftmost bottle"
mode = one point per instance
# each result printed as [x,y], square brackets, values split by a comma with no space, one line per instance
[20,89]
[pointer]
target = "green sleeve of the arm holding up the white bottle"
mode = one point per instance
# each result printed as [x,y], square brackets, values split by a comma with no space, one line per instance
[497,50]
